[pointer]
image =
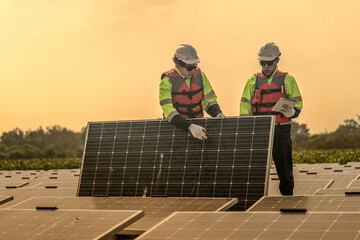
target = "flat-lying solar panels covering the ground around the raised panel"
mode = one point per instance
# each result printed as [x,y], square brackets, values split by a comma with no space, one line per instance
[46,207]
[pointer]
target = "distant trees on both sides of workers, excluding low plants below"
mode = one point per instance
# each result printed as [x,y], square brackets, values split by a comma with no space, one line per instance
[59,142]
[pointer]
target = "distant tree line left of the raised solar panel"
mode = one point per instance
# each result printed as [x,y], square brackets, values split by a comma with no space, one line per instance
[52,142]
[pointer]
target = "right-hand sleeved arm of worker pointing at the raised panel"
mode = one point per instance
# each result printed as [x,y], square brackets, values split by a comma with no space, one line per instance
[209,103]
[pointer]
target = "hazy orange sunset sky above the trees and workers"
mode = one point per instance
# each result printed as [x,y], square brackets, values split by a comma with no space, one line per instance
[69,62]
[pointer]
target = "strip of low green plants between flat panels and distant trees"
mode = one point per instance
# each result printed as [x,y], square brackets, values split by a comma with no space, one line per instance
[341,156]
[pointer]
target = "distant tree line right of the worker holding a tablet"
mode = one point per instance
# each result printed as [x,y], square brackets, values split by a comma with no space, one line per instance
[346,136]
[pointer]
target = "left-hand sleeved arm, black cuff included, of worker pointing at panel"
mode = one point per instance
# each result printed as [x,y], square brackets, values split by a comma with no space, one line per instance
[168,109]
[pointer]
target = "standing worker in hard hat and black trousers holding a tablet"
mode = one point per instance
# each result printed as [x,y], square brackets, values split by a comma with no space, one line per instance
[261,93]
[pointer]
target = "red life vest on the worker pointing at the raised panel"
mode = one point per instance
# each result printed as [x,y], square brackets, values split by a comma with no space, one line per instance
[187,101]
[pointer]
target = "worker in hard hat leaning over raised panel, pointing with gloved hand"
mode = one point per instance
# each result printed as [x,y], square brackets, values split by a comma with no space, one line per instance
[185,92]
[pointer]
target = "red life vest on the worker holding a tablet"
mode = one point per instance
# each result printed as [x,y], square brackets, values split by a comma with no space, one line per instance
[265,96]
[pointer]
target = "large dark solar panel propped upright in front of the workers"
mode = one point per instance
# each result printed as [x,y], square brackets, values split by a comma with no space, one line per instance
[152,158]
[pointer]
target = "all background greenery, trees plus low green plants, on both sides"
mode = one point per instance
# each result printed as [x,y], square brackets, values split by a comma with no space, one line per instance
[59,148]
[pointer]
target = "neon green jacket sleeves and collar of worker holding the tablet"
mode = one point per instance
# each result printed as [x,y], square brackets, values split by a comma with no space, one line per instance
[291,89]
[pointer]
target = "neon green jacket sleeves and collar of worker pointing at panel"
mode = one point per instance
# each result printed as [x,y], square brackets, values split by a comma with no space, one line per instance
[165,97]
